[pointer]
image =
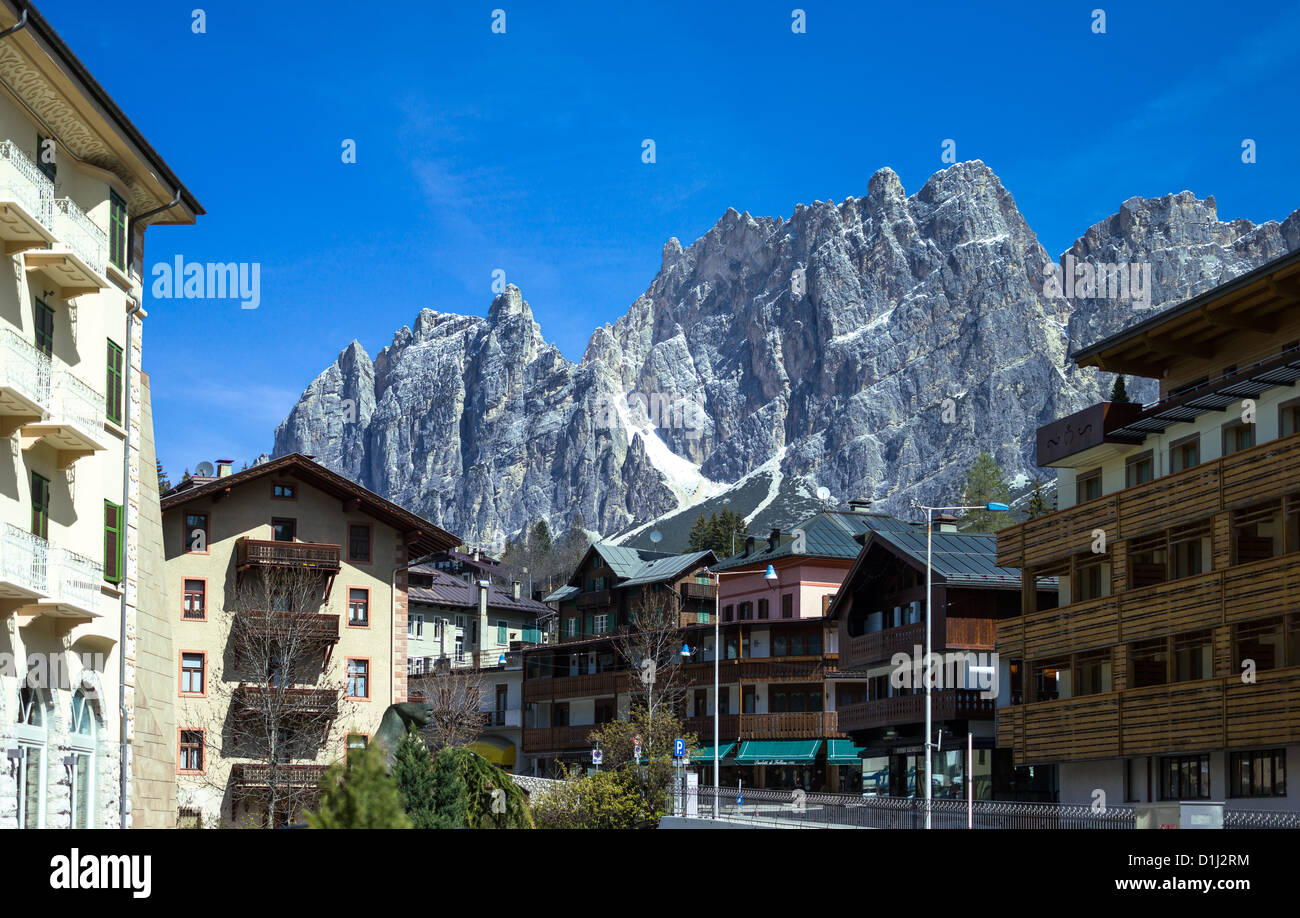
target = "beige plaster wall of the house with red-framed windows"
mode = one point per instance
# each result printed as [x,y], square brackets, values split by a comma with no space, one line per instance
[248,512]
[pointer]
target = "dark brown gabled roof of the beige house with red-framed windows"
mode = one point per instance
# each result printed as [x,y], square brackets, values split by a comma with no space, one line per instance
[426,536]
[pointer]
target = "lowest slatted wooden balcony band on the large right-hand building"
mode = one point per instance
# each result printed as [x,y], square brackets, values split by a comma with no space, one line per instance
[1198,716]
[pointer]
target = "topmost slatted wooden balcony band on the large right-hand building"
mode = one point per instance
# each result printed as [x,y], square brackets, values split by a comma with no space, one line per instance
[1259,474]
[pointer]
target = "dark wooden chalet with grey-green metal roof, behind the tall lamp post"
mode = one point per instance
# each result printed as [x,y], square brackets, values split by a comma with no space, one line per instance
[881,613]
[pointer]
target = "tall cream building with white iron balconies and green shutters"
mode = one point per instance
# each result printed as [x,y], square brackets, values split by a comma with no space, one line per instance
[81,569]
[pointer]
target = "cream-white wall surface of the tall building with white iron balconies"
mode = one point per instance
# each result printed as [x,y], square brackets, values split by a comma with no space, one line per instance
[85,652]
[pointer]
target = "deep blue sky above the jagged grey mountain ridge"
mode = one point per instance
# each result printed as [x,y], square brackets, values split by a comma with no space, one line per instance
[522,151]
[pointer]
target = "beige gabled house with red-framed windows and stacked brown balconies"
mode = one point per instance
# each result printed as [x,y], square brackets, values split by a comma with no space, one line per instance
[283,519]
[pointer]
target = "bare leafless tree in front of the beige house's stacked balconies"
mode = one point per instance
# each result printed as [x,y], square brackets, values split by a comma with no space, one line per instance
[271,707]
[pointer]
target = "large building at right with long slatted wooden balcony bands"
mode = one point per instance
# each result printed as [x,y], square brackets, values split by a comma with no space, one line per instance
[1172,669]
